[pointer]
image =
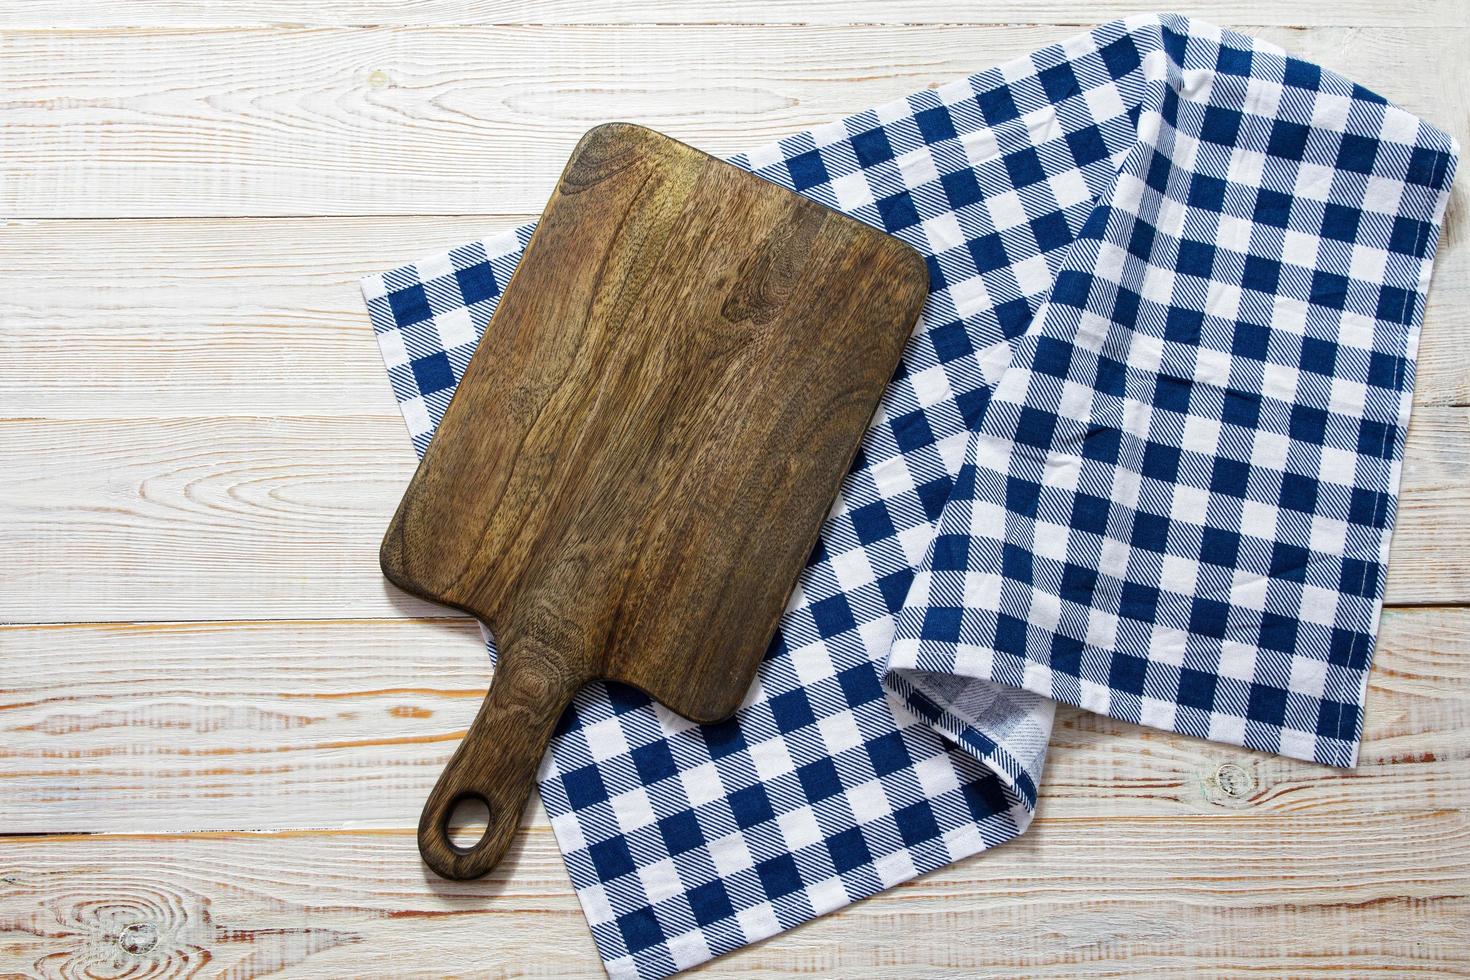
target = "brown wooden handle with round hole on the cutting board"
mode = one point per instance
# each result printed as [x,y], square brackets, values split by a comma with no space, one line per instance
[498,762]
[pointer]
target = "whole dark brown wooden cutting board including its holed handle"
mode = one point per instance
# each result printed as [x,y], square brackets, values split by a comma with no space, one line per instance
[642,452]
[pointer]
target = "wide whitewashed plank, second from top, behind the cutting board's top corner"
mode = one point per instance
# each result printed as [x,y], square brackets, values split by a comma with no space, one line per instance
[452,121]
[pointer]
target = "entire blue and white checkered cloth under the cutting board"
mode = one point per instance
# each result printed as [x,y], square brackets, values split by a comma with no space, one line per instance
[1143,456]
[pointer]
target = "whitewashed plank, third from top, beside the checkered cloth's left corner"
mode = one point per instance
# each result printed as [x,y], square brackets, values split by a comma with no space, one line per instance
[264,317]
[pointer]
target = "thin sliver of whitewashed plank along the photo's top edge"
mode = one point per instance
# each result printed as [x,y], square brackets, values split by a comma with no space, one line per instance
[183,14]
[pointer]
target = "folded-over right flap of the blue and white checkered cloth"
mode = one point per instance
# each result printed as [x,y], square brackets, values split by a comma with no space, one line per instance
[1178,502]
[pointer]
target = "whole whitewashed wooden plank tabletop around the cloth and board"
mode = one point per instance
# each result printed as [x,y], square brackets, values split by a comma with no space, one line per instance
[218,722]
